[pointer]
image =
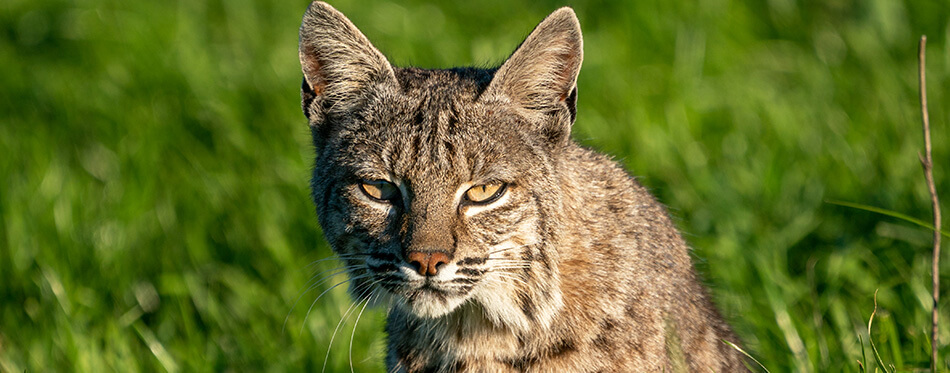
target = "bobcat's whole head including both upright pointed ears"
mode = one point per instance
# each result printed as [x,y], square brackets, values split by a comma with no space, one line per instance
[439,188]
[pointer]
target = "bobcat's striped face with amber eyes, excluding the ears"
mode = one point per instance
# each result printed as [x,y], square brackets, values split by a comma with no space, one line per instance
[427,173]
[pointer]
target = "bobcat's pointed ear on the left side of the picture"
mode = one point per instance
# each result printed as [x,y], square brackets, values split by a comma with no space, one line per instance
[339,63]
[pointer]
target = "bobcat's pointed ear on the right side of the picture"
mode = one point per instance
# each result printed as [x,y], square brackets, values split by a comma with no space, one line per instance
[541,75]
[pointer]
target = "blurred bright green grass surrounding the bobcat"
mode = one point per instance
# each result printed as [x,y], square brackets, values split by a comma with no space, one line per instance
[154,211]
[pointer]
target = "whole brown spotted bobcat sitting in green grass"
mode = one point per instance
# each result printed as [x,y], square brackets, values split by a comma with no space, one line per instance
[502,245]
